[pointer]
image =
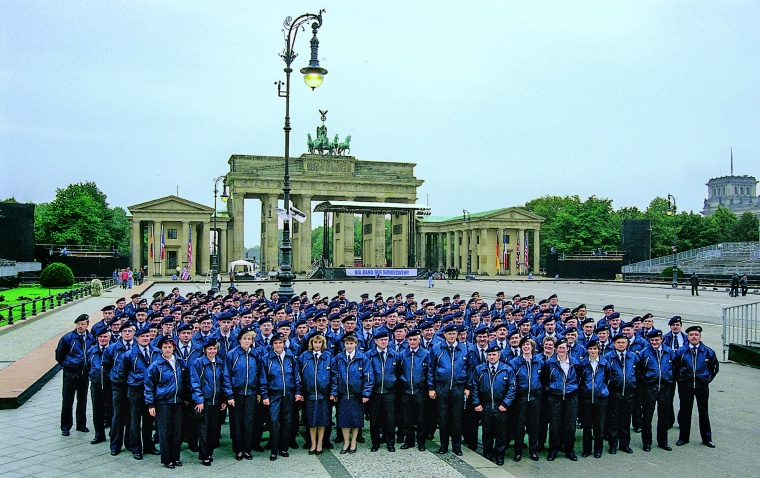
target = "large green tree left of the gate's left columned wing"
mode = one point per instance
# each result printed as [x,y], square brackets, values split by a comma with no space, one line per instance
[80,215]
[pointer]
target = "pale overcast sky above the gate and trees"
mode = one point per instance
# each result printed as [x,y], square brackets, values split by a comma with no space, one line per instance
[497,102]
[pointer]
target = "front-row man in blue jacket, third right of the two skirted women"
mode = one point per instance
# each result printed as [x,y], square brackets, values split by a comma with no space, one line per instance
[447,385]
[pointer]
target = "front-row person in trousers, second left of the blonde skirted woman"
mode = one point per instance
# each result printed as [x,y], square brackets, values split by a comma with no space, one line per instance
[242,365]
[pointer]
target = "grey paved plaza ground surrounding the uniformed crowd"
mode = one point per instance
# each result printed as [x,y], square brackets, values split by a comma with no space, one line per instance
[33,445]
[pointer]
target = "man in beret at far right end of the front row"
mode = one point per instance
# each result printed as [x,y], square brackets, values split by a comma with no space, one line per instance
[695,367]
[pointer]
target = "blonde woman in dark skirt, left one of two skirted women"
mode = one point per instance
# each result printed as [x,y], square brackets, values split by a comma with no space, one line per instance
[315,365]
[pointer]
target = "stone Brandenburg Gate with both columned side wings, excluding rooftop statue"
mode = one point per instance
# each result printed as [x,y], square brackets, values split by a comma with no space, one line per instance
[343,188]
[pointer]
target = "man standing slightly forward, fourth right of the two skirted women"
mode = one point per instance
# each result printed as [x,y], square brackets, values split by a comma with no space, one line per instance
[493,386]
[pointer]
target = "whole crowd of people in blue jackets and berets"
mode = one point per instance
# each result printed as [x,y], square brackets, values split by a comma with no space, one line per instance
[180,366]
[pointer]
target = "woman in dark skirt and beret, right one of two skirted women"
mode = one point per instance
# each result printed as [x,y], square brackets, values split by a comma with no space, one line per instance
[351,388]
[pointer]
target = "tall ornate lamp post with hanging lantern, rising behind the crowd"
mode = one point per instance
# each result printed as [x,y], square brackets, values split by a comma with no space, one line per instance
[313,76]
